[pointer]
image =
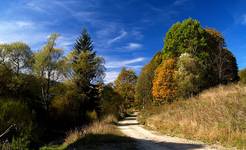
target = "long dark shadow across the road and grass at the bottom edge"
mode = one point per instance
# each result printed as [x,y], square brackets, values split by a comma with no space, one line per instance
[115,142]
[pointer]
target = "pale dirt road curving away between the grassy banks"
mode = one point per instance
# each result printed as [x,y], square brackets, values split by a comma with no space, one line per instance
[150,140]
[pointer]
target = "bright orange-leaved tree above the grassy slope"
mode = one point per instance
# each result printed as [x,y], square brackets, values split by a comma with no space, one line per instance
[164,88]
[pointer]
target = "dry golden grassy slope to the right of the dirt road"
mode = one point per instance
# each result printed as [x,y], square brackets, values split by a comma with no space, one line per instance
[217,115]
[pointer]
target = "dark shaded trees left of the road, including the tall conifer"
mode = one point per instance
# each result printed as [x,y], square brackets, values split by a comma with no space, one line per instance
[46,93]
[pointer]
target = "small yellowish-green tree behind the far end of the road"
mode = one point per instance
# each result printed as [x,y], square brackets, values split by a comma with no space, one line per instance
[125,86]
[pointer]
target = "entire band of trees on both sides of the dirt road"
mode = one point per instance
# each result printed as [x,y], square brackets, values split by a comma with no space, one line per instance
[44,93]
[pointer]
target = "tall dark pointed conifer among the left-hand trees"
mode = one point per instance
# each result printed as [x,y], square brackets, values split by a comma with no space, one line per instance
[88,71]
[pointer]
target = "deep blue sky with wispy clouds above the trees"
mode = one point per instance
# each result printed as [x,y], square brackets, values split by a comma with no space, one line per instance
[126,33]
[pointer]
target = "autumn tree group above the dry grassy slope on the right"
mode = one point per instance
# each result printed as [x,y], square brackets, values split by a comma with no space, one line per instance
[193,59]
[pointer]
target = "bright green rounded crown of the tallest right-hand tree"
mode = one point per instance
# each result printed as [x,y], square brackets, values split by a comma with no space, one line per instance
[187,36]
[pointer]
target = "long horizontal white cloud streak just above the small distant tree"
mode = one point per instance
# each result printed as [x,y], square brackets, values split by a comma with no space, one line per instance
[124,63]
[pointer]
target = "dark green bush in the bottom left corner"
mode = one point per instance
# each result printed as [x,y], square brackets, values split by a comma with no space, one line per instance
[13,112]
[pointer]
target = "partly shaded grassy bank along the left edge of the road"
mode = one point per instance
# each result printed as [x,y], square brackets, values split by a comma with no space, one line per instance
[99,135]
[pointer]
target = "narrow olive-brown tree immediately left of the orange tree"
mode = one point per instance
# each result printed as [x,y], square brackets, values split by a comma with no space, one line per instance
[144,84]
